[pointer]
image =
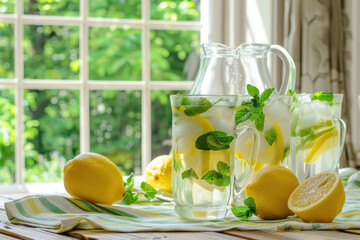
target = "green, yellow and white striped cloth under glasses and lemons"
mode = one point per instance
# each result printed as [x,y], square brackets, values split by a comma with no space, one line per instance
[63,214]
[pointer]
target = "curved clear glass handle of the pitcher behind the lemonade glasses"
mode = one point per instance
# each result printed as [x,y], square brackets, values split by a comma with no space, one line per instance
[289,78]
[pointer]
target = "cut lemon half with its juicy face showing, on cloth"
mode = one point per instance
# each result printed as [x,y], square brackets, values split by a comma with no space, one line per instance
[319,198]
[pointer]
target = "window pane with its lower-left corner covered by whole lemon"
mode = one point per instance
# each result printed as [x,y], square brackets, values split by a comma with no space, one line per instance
[115,125]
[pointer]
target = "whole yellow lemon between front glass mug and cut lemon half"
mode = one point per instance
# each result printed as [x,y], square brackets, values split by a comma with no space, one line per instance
[271,187]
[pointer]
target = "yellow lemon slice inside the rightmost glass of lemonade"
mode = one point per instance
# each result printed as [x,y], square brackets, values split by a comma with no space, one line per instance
[322,144]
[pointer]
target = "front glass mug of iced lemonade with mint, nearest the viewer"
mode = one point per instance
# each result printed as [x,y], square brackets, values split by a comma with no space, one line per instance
[203,139]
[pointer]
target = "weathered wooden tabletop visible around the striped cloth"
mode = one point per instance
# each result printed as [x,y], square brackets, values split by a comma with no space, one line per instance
[13,231]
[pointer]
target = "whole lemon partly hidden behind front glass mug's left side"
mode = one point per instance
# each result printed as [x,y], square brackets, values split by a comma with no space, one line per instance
[158,173]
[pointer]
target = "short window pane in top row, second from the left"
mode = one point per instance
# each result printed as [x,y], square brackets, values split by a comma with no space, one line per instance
[51,7]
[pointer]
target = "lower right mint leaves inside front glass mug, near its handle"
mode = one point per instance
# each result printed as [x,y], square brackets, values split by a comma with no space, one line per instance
[219,178]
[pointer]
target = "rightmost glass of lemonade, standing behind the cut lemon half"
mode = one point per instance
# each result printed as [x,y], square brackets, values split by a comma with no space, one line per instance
[317,133]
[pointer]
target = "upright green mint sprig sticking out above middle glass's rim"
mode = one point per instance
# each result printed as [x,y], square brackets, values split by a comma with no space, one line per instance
[253,110]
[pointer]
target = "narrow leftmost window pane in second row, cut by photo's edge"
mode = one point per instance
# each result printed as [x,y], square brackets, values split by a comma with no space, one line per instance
[6,50]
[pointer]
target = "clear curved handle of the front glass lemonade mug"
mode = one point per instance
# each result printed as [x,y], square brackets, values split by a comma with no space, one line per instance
[239,183]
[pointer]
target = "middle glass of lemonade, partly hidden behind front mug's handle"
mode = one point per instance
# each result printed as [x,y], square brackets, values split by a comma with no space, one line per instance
[271,121]
